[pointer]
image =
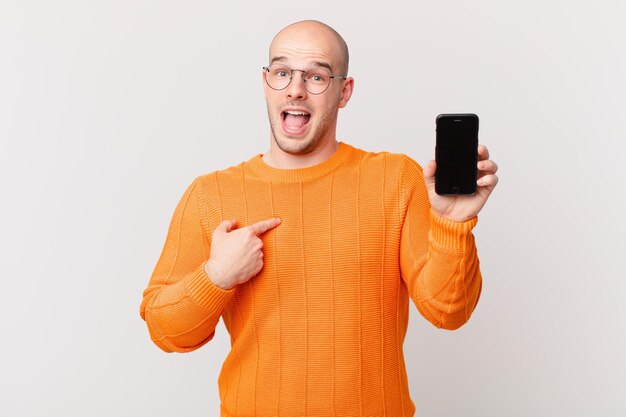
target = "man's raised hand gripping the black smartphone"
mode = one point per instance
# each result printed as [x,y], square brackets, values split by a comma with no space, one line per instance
[461,208]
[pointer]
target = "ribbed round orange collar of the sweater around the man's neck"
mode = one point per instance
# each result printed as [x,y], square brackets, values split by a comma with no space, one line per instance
[337,159]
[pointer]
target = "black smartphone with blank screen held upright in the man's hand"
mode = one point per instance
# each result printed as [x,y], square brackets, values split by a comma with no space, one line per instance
[456,154]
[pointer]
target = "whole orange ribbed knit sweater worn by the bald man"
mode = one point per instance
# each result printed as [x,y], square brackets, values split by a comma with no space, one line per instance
[319,331]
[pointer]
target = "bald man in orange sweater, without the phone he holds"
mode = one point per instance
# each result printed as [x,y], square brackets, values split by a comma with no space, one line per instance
[311,251]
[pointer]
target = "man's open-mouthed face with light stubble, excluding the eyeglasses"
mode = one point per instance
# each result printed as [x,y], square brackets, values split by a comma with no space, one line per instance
[299,120]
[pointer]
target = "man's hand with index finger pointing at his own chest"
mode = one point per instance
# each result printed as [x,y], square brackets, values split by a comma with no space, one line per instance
[236,254]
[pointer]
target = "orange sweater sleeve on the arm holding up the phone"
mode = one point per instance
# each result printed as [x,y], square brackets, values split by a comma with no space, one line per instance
[438,257]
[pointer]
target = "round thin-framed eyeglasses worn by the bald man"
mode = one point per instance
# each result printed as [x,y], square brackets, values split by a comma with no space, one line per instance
[316,80]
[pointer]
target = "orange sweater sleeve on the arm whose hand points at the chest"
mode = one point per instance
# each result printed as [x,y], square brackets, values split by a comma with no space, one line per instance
[181,305]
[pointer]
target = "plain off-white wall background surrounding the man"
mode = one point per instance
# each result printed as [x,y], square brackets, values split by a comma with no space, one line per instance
[109,109]
